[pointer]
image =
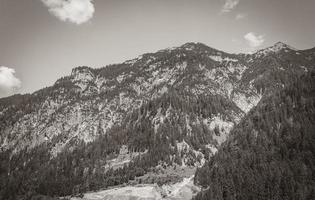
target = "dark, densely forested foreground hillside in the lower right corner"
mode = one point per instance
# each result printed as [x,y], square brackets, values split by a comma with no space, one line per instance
[270,154]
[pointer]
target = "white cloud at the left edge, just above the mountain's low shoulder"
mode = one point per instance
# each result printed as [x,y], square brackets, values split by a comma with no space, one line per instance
[8,81]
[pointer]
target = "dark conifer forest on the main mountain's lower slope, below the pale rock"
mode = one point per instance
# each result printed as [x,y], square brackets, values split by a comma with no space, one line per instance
[32,172]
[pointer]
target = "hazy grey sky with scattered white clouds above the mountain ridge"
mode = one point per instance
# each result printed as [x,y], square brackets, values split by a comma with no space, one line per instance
[42,40]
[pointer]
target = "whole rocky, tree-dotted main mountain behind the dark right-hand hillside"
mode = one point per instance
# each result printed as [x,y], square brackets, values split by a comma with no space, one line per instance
[101,127]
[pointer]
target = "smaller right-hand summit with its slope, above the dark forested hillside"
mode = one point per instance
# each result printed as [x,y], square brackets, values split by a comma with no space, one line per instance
[273,67]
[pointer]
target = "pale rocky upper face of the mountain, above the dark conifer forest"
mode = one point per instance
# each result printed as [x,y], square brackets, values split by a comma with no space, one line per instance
[90,101]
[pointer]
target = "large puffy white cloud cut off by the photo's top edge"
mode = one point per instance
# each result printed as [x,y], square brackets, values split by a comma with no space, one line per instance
[75,11]
